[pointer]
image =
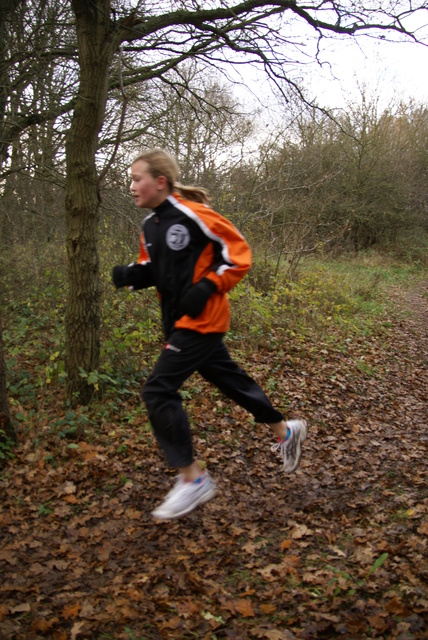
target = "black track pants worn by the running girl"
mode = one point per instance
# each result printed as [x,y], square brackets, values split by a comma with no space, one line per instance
[187,352]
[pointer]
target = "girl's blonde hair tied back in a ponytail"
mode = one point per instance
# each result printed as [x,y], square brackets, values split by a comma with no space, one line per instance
[161,163]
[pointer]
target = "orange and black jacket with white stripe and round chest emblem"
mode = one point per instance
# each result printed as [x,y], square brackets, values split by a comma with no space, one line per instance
[181,242]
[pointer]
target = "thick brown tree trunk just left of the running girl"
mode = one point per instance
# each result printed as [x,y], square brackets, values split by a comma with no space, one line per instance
[96,49]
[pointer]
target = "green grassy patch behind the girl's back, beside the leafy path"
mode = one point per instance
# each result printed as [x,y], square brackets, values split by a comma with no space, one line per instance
[345,296]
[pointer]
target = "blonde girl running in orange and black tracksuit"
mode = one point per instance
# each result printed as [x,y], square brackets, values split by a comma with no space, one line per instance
[193,256]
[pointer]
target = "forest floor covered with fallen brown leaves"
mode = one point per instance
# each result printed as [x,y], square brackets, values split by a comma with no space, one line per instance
[336,550]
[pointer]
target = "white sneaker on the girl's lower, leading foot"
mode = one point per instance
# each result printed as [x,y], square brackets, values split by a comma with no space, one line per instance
[186,496]
